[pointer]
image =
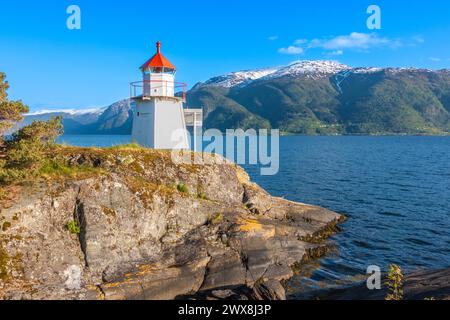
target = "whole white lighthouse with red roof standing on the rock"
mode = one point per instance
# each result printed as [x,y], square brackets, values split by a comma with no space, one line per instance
[159,120]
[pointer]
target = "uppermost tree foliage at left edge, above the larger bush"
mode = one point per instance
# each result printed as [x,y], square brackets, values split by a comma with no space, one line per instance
[10,111]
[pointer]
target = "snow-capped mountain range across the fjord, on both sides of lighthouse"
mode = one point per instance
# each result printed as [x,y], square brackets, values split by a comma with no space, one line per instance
[305,97]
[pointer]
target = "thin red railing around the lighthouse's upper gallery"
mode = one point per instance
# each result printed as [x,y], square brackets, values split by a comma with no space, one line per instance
[146,88]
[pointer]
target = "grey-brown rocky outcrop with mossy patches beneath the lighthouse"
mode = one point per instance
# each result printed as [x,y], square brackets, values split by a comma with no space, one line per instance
[150,229]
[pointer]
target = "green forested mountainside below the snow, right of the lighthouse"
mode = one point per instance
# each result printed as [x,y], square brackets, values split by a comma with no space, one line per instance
[379,103]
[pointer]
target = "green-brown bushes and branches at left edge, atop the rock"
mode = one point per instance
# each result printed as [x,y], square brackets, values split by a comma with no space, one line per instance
[30,153]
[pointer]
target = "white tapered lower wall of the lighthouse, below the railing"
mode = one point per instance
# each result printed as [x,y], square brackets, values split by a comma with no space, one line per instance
[156,120]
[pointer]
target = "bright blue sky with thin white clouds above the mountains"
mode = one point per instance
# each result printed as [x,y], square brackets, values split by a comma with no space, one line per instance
[49,66]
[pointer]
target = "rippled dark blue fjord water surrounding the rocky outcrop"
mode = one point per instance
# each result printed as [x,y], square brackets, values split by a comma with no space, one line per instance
[395,192]
